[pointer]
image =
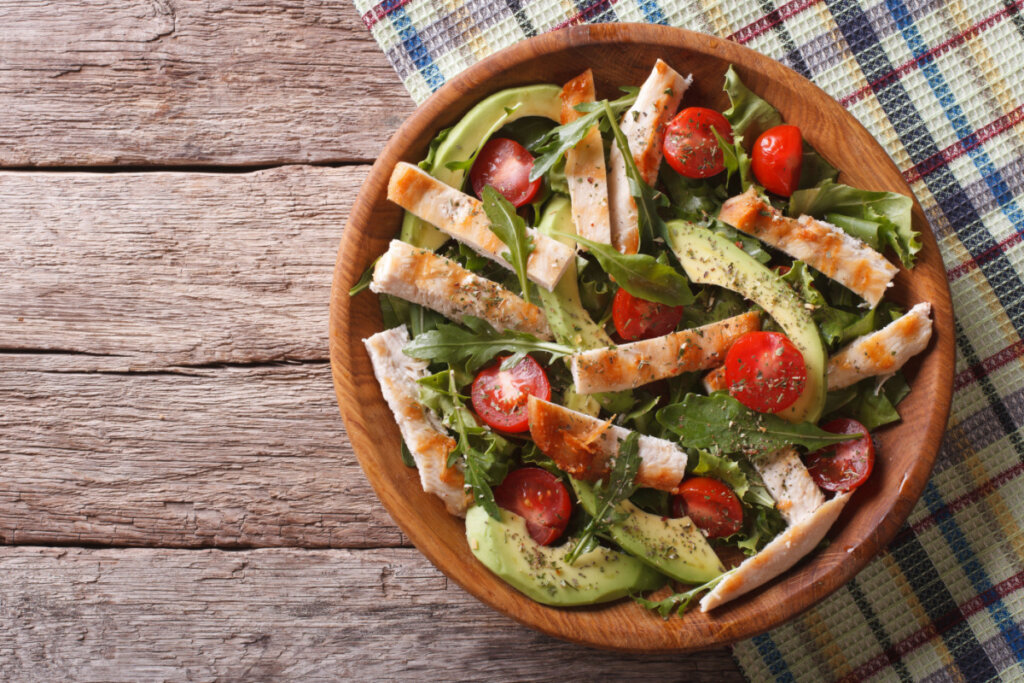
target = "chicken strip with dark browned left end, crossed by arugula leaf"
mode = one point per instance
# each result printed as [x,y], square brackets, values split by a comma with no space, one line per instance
[584,446]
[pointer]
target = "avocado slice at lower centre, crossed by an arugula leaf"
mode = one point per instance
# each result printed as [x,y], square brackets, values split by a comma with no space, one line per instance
[673,546]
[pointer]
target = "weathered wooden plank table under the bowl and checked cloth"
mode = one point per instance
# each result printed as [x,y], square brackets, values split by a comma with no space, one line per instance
[179,499]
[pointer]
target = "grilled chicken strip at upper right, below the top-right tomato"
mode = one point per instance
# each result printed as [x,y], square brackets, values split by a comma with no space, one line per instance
[821,245]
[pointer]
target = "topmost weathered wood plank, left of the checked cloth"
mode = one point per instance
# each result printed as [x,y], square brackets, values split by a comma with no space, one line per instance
[172,82]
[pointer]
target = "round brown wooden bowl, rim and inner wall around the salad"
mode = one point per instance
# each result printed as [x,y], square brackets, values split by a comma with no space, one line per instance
[624,55]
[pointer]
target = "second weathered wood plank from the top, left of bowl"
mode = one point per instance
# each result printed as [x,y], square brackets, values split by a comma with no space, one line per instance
[172,269]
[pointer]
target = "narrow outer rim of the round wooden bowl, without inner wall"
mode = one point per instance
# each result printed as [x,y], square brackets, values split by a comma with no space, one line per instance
[651,635]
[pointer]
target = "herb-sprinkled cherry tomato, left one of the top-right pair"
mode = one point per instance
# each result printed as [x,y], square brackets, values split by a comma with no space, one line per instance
[690,146]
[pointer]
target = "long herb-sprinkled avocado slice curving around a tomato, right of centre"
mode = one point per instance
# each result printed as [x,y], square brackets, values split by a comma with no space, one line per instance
[712,260]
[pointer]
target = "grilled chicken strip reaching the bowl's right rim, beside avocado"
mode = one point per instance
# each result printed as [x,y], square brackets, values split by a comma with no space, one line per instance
[882,353]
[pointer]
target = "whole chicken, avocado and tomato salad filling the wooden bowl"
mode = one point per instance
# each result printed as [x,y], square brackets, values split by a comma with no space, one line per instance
[615,410]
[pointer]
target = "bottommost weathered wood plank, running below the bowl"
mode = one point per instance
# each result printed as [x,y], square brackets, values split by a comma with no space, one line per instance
[279,615]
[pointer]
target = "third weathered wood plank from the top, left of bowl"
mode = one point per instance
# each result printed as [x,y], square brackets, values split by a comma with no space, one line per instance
[230,457]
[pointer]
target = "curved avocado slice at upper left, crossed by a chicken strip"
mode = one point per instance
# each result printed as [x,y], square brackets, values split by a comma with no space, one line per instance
[470,136]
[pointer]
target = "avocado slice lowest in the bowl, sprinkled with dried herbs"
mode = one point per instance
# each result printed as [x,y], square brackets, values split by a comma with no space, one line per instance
[542,574]
